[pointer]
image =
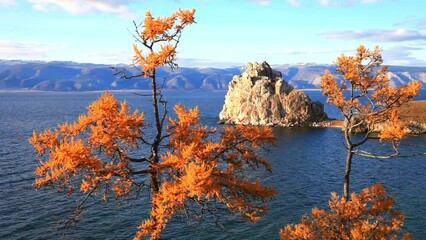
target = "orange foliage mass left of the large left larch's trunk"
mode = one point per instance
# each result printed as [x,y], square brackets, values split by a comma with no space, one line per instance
[73,149]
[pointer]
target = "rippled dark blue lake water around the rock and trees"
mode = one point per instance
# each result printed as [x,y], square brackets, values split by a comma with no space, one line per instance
[307,163]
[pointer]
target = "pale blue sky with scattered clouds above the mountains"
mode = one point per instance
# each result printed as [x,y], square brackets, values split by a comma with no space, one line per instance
[227,33]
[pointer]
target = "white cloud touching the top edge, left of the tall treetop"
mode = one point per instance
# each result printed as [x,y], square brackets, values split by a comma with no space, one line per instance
[117,7]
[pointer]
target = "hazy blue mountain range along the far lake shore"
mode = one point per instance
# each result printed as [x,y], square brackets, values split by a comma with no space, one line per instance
[71,76]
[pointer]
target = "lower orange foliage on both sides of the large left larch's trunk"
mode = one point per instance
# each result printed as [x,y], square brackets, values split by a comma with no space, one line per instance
[92,152]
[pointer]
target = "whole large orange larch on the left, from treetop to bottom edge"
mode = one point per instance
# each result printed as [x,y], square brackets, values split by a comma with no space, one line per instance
[186,168]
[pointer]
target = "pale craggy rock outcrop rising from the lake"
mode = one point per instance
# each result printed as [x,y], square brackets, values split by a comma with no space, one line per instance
[260,96]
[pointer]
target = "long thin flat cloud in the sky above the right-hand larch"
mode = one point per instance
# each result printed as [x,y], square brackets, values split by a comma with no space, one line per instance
[378,35]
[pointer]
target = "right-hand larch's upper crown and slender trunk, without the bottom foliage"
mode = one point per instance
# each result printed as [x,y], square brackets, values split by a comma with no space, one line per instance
[369,105]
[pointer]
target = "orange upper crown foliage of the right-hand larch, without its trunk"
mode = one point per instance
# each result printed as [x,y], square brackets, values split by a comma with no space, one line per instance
[368,81]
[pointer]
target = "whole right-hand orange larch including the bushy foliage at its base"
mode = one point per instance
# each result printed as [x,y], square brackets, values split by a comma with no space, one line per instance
[369,106]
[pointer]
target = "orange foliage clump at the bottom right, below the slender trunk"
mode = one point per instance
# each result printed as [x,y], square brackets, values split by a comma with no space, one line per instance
[368,215]
